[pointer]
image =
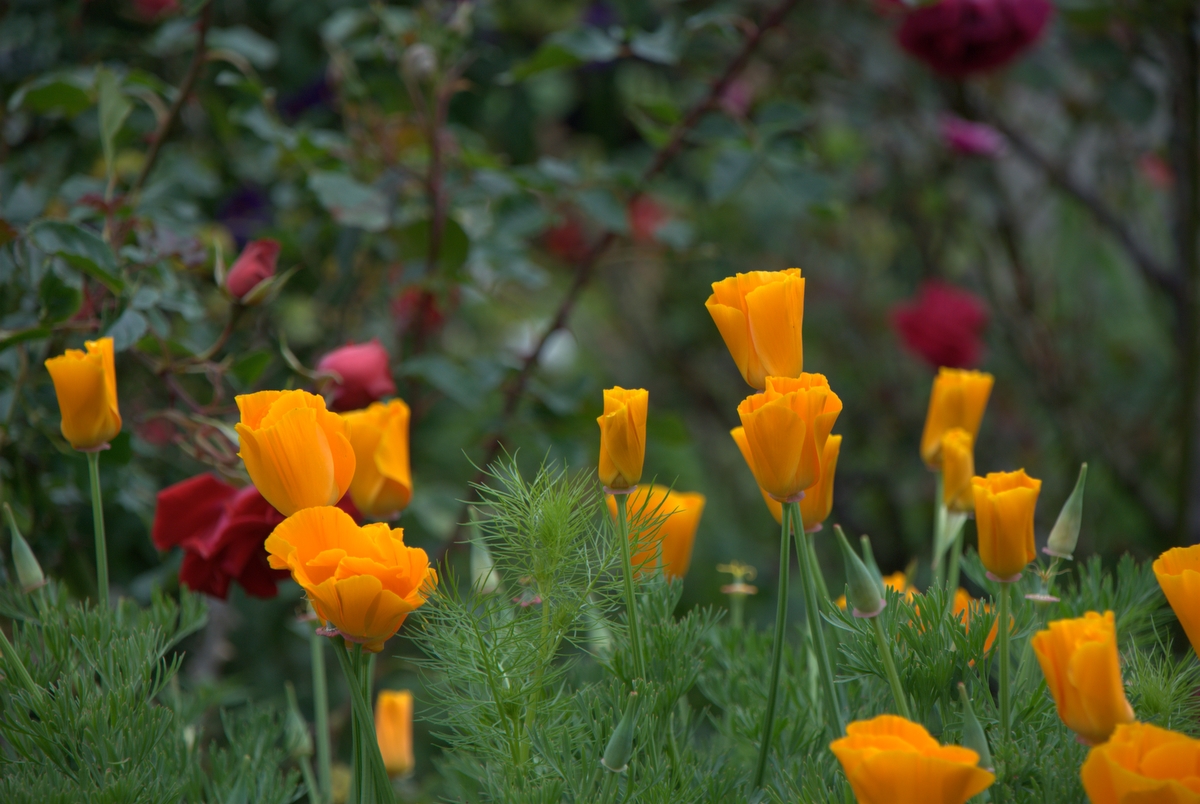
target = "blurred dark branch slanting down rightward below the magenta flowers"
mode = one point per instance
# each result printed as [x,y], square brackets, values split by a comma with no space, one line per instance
[1154,269]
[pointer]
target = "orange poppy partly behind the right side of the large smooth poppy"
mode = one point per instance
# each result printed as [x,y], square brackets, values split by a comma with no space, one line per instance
[383,479]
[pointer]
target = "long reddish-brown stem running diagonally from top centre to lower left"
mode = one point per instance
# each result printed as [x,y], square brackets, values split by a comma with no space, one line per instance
[586,268]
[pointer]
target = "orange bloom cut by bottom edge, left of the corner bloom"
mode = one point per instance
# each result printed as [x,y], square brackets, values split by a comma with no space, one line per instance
[895,761]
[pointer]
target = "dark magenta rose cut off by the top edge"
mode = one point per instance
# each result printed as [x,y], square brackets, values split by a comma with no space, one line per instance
[961,38]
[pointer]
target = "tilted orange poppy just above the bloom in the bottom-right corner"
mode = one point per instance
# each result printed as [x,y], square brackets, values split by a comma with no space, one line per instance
[1079,659]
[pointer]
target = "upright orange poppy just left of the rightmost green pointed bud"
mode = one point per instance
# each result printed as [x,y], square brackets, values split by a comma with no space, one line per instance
[1005,503]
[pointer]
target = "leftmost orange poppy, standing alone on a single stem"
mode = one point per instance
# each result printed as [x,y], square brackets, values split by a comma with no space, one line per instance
[86,383]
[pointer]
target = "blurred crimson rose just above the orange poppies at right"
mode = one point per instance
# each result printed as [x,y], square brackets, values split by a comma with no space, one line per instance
[943,325]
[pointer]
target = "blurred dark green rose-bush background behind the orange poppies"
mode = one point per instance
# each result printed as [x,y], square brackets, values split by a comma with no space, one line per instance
[526,202]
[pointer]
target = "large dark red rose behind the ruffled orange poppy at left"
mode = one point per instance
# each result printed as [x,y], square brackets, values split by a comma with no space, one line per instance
[221,530]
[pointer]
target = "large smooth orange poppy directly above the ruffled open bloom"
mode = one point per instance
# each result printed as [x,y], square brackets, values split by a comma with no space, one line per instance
[297,452]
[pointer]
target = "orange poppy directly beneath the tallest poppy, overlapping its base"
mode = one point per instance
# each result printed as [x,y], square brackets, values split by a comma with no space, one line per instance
[787,429]
